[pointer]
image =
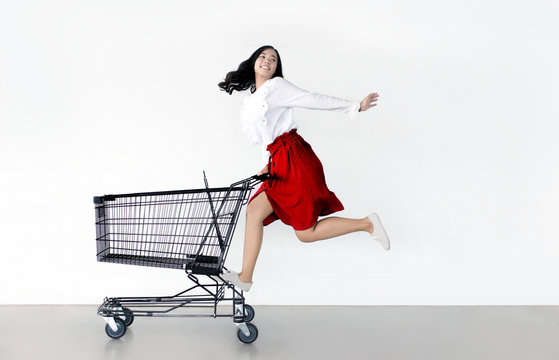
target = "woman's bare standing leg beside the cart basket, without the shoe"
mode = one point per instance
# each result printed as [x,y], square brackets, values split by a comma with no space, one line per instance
[258,210]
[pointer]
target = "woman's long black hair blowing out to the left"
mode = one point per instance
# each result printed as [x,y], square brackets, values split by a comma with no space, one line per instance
[243,77]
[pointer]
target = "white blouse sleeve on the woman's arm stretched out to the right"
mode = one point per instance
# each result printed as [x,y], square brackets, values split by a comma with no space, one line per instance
[285,94]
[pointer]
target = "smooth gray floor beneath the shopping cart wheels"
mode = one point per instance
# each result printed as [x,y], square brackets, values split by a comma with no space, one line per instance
[290,332]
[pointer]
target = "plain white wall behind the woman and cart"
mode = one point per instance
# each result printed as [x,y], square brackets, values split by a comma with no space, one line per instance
[459,158]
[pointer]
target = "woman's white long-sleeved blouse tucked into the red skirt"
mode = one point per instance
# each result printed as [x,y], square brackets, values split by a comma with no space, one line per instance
[268,112]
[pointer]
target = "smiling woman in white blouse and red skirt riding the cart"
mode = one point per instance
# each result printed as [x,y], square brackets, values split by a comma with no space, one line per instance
[296,193]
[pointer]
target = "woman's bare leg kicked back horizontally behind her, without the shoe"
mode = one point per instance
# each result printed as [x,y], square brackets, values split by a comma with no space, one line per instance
[332,227]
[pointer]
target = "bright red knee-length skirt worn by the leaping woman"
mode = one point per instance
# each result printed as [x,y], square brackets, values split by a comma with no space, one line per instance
[297,190]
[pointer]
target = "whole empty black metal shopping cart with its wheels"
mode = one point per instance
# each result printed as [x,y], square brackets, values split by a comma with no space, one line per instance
[188,230]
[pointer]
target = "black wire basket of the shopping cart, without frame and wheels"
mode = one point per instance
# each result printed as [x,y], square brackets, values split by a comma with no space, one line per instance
[185,229]
